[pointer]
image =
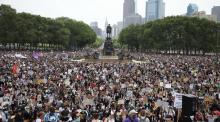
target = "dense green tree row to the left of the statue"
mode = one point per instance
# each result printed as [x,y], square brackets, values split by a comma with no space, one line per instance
[33,32]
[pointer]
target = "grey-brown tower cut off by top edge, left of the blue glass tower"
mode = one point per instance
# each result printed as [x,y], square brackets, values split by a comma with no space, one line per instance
[128,8]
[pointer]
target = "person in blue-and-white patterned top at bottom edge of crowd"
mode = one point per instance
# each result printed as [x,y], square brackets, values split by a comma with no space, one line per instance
[51,116]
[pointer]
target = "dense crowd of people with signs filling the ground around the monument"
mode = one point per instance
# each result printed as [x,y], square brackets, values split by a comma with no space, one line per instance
[53,87]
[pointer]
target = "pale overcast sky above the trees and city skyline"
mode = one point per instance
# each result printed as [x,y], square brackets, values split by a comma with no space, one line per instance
[99,10]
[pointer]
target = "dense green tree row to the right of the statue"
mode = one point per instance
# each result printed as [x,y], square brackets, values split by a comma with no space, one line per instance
[176,34]
